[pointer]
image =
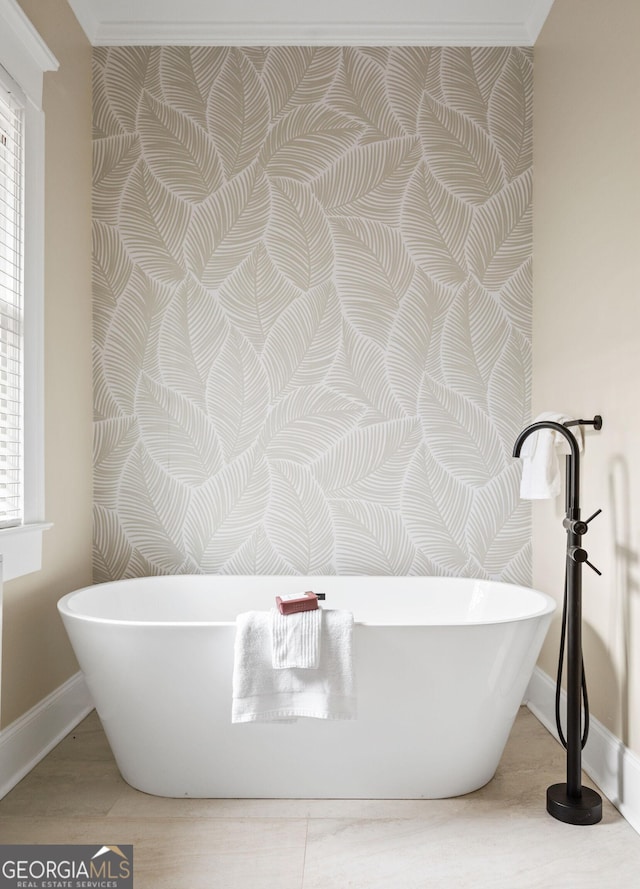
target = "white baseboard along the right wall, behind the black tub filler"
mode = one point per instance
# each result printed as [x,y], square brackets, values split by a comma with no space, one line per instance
[611,765]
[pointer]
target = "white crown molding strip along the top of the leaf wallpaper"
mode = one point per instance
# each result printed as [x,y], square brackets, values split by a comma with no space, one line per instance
[317,34]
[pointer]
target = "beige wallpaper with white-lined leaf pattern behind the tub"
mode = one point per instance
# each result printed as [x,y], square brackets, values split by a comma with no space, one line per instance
[312,310]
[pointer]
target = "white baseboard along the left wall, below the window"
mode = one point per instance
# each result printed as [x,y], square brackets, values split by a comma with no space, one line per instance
[28,740]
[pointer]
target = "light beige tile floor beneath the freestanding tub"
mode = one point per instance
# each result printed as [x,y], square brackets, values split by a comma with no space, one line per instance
[499,836]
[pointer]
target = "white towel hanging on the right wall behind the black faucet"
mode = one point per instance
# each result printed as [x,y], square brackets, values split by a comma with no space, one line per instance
[541,478]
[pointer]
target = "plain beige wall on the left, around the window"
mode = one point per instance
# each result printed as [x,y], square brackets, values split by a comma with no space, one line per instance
[36,654]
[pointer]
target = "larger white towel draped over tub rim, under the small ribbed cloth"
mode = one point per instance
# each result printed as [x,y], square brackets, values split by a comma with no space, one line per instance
[262,694]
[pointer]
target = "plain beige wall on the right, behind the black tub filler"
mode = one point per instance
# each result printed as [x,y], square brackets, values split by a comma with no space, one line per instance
[587,323]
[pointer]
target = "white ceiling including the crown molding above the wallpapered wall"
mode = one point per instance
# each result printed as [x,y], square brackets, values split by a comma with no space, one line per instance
[342,22]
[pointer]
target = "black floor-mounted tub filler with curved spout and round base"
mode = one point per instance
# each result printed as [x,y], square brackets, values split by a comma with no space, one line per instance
[571,802]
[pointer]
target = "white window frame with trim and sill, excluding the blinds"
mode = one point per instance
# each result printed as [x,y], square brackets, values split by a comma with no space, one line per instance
[25,57]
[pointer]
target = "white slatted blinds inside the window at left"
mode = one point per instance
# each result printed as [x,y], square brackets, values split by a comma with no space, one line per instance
[11,293]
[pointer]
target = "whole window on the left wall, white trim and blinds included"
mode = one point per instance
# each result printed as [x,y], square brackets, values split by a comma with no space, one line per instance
[23,60]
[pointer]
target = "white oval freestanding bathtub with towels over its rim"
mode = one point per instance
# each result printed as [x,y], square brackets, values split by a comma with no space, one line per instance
[441,666]
